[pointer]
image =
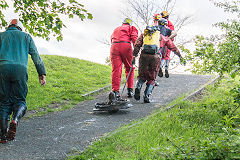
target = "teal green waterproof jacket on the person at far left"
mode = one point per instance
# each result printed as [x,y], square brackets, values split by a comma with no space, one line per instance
[15,46]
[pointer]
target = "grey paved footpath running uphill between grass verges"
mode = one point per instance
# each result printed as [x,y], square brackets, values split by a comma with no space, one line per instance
[56,135]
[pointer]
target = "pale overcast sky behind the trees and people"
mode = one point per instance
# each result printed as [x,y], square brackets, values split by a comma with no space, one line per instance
[81,38]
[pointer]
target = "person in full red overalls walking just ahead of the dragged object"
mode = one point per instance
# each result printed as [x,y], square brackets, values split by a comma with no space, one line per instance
[121,50]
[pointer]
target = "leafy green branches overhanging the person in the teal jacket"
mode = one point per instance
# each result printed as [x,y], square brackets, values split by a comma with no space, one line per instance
[43,18]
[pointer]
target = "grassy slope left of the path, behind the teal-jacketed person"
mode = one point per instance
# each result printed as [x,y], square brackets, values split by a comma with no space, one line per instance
[67,80]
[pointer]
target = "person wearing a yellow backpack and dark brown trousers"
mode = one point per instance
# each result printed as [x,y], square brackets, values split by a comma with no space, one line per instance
[149,61]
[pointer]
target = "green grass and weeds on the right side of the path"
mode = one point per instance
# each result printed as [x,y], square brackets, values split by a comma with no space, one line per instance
[204,129]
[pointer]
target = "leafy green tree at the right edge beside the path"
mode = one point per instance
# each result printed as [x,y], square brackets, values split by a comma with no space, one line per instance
[219,54]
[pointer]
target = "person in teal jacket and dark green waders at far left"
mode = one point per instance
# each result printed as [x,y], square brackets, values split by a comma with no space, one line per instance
[15,45]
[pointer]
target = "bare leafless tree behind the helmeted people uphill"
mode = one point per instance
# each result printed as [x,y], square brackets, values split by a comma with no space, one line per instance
[142,12]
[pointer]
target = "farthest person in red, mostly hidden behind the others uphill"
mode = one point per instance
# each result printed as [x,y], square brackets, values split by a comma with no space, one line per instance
[166,58]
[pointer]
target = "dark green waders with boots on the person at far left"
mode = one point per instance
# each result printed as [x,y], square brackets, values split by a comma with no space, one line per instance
[13,92]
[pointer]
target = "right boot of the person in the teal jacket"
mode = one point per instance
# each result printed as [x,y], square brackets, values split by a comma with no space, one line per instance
[17,115]
